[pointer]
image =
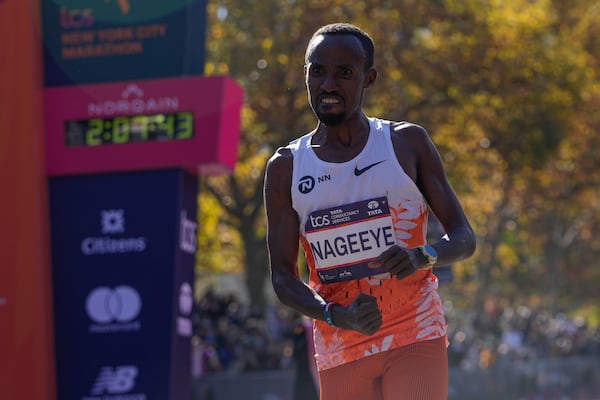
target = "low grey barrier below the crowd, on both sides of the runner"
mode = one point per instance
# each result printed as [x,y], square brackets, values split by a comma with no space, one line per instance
[576,378]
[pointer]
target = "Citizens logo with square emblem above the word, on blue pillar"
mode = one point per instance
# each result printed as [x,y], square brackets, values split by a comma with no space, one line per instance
[112,222]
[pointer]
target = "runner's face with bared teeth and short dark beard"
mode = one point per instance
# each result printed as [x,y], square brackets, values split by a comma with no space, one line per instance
[336,78]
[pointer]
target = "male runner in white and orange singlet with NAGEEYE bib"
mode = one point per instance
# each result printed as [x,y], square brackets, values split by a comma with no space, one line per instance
[356,192]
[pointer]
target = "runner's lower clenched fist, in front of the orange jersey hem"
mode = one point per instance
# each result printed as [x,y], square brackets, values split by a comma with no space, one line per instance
[363,315]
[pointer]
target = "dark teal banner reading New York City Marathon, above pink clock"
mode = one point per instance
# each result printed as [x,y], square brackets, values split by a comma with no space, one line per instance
[94,41]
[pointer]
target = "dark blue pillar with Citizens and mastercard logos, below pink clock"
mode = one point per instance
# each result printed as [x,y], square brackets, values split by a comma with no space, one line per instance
[123,256]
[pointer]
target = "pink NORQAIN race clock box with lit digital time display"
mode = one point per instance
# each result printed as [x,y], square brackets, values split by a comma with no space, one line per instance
[187,122]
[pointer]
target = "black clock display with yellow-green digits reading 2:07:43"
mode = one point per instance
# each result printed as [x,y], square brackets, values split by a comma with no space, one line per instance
[129,129]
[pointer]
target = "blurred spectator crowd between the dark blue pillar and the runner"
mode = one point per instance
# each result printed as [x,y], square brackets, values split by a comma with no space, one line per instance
[230,336]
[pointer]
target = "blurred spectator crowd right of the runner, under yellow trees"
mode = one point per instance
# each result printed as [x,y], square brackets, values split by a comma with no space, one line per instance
[505,334]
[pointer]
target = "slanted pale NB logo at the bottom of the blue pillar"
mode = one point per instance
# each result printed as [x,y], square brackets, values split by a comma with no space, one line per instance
[116,383]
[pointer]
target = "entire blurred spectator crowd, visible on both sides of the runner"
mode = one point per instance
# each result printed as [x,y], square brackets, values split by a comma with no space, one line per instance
[231,337]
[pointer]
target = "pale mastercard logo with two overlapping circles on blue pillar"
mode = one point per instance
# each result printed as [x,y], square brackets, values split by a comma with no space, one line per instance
[113,310]
